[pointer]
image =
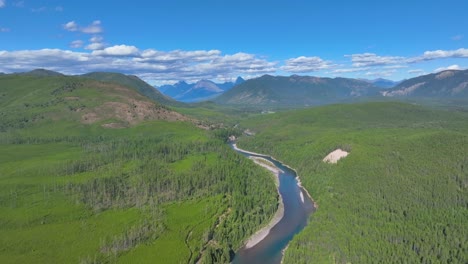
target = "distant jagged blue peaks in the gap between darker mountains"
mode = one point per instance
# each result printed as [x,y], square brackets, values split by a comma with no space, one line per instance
[195,92]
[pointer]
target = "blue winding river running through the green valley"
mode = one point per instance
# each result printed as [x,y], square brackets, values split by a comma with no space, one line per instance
[297,208]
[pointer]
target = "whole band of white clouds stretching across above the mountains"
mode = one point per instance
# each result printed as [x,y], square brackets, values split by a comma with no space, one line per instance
[167,66]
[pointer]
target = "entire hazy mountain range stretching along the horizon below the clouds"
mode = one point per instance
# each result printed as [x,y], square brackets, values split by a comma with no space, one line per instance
[285,91]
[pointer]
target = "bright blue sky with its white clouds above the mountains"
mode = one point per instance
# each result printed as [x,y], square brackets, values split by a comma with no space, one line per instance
[167,41]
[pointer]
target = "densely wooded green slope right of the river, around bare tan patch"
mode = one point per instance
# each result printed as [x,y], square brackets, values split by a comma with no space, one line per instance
[400,196]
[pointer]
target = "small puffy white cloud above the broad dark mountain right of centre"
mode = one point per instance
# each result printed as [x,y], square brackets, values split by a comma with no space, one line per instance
[304,64]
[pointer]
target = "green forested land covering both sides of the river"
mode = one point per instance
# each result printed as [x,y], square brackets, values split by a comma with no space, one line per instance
[97,168]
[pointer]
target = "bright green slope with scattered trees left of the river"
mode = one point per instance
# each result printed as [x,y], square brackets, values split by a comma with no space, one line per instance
[74,192]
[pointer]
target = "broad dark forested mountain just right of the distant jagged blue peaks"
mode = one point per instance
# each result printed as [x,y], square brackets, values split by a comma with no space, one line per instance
[296,91]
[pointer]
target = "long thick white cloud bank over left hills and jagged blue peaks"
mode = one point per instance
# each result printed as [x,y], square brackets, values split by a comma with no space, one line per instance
[151,65]
